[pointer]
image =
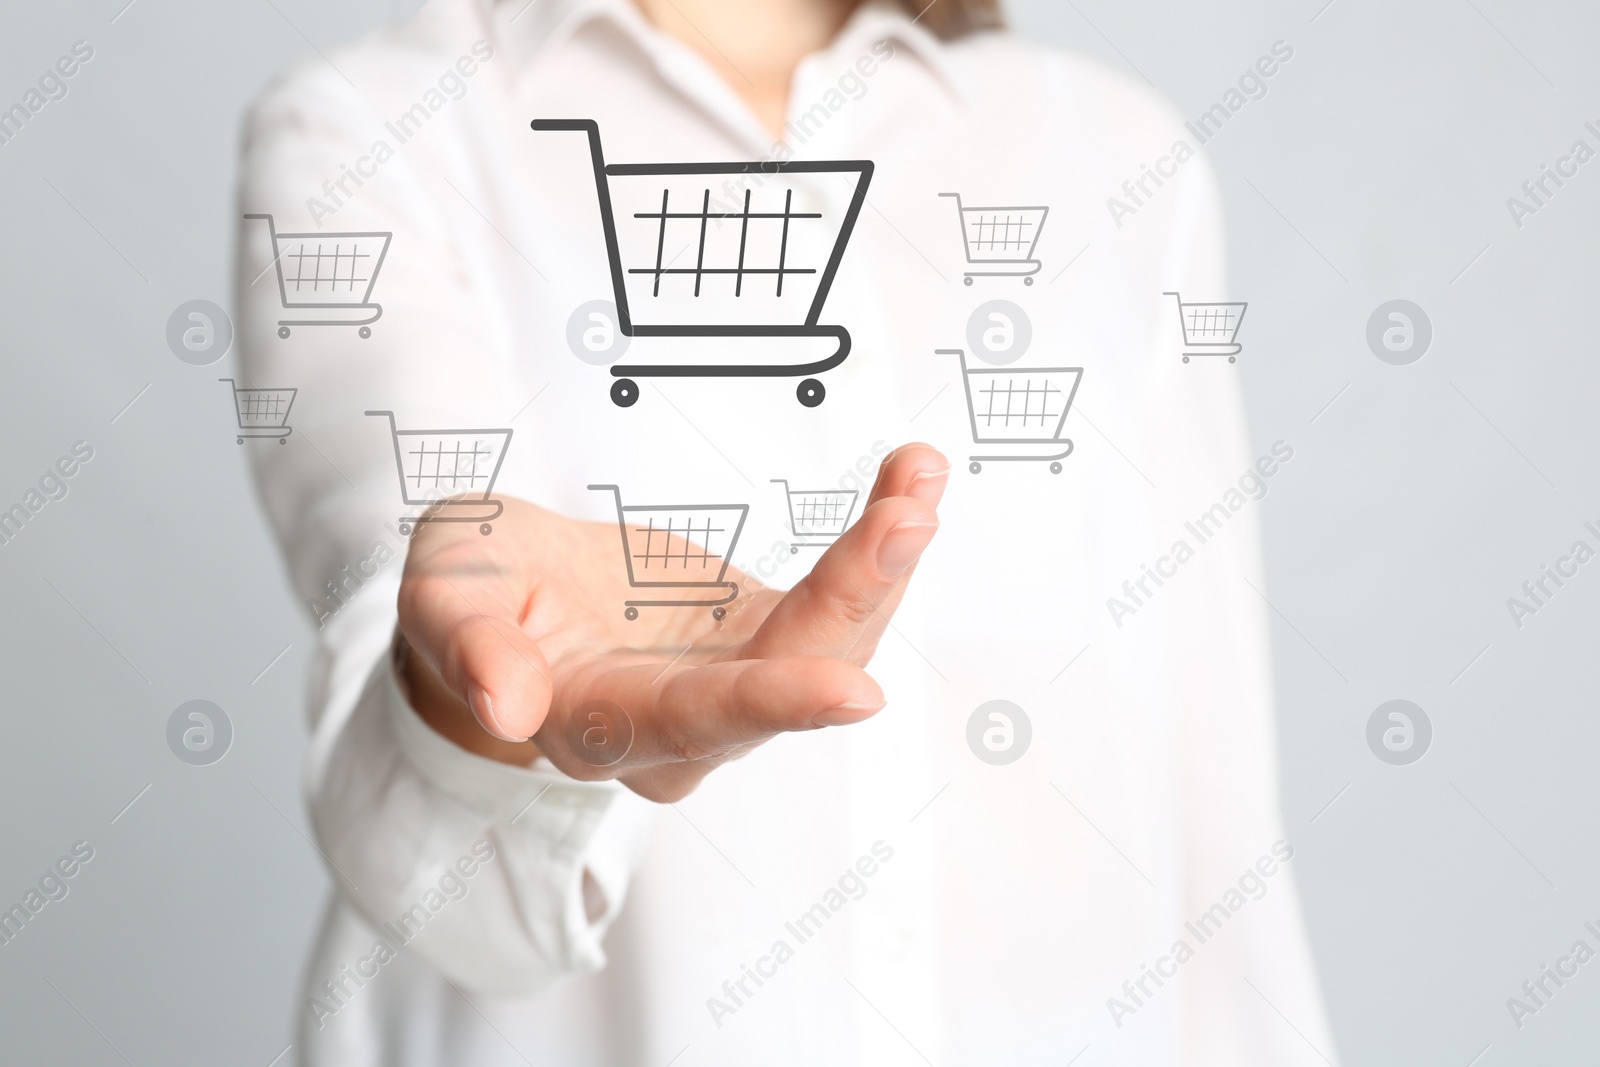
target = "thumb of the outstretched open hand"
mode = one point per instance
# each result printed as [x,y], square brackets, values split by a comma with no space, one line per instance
[462,612]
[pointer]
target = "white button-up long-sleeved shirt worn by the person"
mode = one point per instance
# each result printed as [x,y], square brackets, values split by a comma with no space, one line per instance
[959,913]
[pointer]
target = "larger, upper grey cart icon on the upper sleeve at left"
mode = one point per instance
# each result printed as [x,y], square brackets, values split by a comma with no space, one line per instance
[327,279]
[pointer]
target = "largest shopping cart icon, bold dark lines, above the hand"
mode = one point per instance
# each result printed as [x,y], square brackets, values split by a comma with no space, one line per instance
[724,250]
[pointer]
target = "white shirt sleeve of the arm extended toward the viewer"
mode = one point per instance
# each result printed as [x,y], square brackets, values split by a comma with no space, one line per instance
[394,805]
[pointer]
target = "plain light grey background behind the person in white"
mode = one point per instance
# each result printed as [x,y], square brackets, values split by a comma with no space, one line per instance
[1377,167]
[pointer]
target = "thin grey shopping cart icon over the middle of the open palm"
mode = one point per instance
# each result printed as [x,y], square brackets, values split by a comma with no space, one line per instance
[679,548]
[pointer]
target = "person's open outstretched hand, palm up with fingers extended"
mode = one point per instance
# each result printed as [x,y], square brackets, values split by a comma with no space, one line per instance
[527,626]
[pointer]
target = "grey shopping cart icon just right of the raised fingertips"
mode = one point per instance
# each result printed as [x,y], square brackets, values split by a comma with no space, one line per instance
[1020,407]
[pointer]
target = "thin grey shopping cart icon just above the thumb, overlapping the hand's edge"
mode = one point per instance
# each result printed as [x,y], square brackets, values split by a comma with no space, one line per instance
[450,474]
